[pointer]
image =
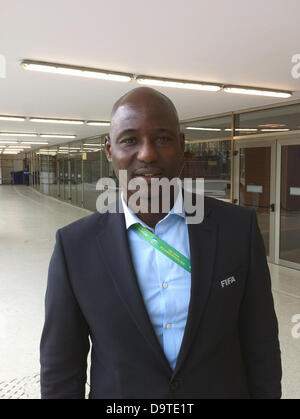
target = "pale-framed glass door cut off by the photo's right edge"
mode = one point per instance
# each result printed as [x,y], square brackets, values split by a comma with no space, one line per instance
[288,201]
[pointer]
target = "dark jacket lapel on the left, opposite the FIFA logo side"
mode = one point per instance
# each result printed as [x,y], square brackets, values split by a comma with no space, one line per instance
[115,254]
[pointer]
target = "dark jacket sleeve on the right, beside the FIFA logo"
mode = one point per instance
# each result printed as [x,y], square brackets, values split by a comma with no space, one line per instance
[258,325]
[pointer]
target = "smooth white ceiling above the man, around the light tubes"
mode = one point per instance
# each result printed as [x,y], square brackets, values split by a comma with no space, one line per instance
[247,42]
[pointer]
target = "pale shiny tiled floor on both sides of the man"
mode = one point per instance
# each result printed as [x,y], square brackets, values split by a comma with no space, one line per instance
[28,224]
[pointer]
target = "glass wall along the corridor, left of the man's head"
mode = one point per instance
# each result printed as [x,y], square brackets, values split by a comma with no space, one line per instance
[70,172]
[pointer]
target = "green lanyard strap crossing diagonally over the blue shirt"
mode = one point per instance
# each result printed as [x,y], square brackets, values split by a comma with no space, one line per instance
[163,247]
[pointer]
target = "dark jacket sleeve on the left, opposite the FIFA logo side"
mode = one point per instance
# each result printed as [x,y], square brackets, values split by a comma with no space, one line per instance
[65,339]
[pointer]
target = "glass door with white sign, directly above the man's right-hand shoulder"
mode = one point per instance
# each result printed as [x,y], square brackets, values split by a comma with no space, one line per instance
[255,185]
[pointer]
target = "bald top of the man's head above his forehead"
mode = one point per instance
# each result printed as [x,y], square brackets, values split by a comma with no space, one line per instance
[142,96]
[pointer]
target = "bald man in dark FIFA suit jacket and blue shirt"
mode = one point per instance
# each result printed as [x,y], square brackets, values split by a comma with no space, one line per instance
[159,330]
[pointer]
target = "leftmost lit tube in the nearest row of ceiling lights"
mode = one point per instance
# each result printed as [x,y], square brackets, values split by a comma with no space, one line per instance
[70,70]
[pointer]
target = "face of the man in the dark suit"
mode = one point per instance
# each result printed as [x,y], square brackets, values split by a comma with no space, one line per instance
[145,140]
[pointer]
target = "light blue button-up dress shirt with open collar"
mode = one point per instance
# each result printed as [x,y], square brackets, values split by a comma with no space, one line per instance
[165,286]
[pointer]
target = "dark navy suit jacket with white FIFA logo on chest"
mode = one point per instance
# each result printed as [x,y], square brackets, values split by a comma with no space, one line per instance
[230,347]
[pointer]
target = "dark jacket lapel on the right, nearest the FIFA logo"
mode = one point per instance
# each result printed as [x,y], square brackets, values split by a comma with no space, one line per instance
[203,240]
